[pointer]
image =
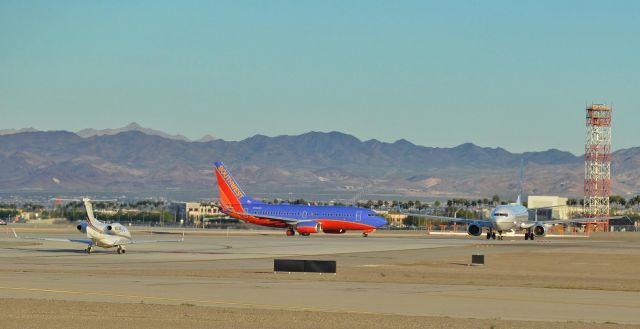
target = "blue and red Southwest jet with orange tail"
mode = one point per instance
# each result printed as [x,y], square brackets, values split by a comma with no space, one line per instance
[295,218]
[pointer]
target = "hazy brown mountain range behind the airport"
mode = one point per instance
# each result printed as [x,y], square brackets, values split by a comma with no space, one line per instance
[137,159]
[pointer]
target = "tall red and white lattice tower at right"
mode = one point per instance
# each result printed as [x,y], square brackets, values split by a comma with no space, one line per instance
[597,161]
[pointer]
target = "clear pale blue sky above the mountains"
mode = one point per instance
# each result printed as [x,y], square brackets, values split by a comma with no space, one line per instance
[514,74]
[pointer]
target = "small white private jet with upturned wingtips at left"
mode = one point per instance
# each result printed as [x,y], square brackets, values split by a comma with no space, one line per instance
[101,234]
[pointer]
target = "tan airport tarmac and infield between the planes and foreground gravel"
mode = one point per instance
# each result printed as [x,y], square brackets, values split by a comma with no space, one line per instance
[592,282]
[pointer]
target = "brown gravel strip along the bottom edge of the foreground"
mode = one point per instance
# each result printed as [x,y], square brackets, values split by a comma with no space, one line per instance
[31,313]
